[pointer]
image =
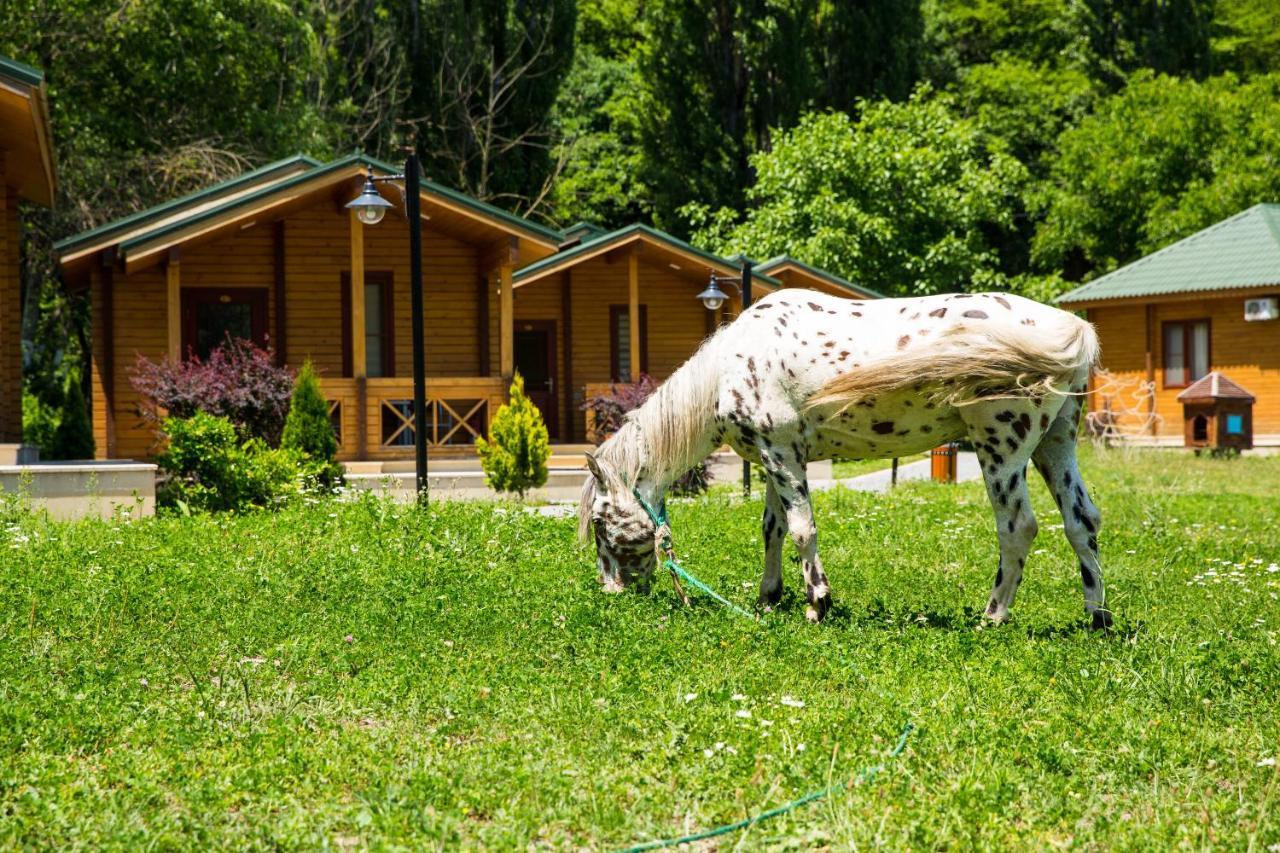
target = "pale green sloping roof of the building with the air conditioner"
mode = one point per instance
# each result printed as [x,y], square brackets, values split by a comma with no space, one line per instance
[1240,252]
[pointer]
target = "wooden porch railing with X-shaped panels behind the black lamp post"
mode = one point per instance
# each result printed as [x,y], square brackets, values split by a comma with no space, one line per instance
[374,418]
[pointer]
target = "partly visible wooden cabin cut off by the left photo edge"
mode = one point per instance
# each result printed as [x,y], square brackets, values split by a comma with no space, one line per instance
[28,176]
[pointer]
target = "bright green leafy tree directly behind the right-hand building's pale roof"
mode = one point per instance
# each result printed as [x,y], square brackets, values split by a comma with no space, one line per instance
[1155,163]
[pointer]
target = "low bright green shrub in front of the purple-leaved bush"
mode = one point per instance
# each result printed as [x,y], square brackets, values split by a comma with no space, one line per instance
[209,468]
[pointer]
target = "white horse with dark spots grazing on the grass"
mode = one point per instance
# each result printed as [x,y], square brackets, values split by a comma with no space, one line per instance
[803,377]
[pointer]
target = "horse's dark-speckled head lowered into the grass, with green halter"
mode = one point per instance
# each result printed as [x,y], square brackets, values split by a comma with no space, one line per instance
[623,530]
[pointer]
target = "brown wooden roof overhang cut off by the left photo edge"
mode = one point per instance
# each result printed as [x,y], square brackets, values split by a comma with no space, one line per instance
[26,138]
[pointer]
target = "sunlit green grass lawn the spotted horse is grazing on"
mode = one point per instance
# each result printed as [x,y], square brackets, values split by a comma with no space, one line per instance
[368,674]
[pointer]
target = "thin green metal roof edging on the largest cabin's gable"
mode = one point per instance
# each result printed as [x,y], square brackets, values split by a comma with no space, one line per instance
[314,171]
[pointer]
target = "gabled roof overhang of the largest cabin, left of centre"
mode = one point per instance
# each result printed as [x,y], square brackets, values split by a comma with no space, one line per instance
[278,195]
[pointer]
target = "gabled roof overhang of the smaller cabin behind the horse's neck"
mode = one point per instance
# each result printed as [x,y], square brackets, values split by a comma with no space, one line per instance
[655,247]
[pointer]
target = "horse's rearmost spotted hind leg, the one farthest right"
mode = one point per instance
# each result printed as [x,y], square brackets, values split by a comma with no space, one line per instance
[1055,459]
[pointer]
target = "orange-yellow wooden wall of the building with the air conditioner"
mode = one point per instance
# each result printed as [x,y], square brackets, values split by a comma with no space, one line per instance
[1247,353]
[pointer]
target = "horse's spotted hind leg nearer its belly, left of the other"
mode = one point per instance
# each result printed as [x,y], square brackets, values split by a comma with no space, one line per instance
[1004,434]
